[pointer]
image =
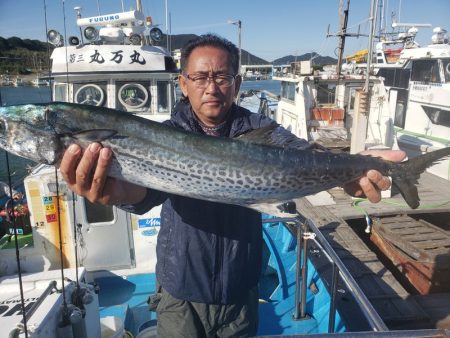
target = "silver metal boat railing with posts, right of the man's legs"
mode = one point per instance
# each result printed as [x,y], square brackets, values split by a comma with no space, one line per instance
[307,231]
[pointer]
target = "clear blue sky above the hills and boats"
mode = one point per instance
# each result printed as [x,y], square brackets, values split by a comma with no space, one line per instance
[270,28]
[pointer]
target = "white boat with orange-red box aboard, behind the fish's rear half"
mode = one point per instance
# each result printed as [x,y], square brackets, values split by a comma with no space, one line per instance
[321,107]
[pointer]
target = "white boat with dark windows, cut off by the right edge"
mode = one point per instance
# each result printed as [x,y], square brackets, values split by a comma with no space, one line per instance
[418,85]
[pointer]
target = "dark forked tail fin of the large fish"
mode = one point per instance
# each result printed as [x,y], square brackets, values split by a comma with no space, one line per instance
[405,175]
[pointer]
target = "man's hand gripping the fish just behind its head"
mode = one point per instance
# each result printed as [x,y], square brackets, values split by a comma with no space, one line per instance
[86,175]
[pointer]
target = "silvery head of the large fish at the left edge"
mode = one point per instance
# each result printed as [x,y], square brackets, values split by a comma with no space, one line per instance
[25,132]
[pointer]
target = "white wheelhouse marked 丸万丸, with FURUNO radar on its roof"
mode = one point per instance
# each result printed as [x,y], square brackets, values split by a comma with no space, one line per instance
[114,64]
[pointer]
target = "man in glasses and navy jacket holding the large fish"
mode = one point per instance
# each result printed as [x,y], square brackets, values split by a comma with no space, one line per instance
[208,254]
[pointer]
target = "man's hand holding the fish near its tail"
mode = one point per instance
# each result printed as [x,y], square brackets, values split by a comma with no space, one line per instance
[371,185]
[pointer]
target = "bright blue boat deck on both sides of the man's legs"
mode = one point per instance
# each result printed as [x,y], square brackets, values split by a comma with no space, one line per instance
[126,298]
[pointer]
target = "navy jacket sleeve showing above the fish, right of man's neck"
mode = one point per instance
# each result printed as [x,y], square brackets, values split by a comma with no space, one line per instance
[280,135]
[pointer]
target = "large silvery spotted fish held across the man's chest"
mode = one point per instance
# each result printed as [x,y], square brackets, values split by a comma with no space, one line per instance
[245,171]
